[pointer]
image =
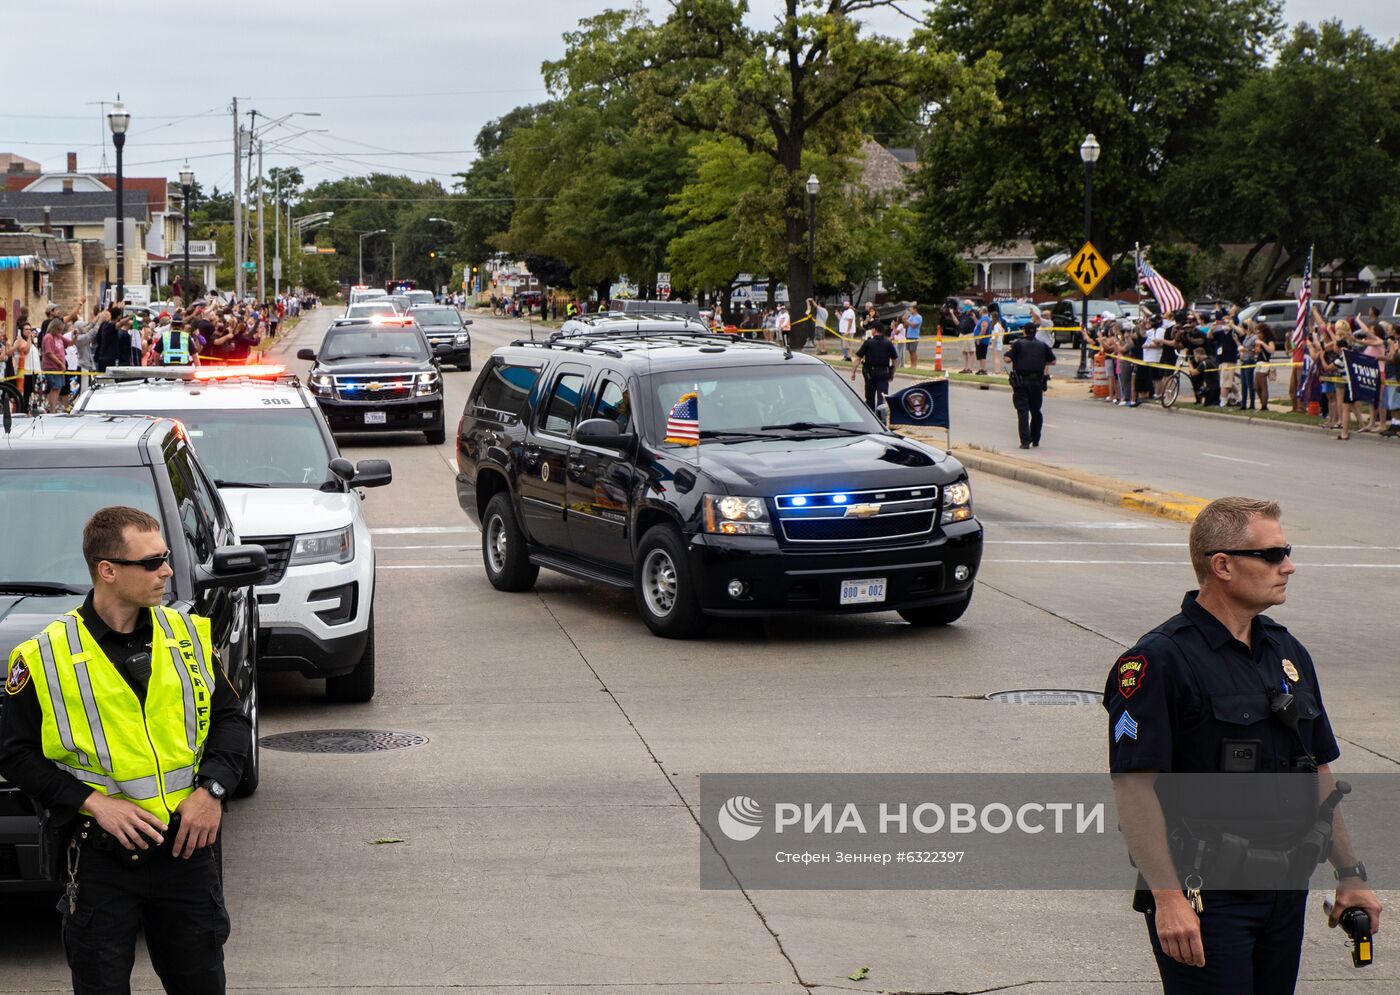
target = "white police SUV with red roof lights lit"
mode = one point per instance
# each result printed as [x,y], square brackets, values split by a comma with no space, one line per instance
[288,489]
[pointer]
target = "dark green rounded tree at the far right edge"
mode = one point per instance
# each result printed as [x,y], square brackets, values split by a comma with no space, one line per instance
[1305,153]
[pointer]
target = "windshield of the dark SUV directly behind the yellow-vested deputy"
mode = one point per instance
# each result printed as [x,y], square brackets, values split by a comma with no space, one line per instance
[43,532]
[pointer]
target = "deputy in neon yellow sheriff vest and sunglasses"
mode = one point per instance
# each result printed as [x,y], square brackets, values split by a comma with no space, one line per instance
[111,675]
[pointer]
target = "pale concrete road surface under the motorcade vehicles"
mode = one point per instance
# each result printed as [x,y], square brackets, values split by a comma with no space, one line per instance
[549,826]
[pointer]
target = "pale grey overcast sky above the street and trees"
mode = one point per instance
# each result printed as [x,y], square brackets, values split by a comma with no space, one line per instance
[401,87]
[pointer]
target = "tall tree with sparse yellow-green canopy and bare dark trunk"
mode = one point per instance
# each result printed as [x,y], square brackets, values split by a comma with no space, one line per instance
[811,82]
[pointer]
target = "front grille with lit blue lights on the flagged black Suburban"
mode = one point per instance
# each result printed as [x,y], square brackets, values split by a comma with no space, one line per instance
[850,517]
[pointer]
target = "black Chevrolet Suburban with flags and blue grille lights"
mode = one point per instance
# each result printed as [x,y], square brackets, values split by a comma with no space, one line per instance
[794,500]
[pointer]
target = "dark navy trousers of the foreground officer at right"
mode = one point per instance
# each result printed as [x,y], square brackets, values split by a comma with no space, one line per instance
[1254,943]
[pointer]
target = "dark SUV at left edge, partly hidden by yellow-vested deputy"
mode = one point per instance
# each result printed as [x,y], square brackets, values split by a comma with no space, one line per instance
[57,472]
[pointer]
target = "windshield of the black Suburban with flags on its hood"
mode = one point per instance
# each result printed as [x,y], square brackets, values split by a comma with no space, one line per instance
[764,402]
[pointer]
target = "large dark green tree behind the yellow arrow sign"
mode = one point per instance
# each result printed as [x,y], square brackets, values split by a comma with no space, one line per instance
[1142,78]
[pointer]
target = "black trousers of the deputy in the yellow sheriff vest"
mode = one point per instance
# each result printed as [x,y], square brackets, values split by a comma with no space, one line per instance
[177,903]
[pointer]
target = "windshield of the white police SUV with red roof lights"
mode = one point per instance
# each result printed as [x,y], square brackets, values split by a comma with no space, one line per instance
[234,446]
